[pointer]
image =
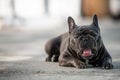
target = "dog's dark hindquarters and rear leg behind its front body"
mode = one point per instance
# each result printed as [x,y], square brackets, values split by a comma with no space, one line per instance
[52,47]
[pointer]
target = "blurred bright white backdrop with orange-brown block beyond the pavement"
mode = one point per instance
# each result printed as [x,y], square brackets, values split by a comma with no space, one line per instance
[44,14]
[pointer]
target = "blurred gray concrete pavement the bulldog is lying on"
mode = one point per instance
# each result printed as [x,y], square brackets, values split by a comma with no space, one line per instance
[22,55]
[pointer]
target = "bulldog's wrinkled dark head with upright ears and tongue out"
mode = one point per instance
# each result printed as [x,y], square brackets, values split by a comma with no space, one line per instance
[84,40]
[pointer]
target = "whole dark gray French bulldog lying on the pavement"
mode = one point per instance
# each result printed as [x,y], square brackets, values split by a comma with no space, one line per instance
[79,47]
